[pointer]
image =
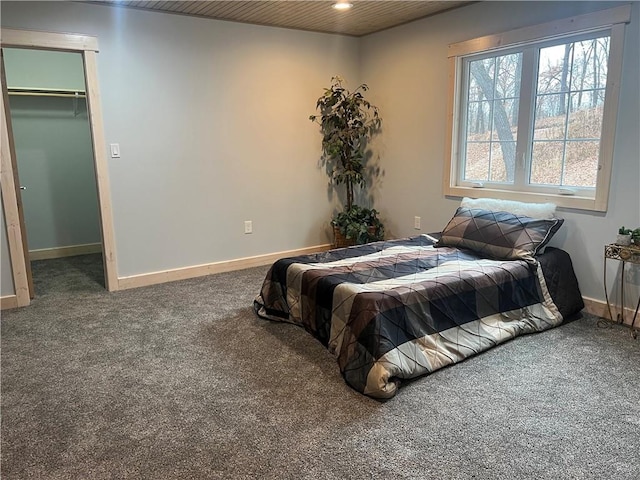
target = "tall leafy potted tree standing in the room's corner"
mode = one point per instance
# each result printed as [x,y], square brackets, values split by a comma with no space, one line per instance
[347,122]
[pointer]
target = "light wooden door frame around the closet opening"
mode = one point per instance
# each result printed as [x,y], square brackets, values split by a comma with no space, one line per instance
[88,47]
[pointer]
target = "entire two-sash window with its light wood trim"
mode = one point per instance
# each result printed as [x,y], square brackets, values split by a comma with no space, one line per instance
[533,112]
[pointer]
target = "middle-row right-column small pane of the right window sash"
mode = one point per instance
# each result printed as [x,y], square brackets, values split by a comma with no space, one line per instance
[585,118]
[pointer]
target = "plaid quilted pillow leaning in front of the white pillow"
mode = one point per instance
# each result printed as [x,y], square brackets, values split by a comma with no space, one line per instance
[499,235]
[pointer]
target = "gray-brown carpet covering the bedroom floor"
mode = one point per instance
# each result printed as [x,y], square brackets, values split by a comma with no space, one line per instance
[182,381]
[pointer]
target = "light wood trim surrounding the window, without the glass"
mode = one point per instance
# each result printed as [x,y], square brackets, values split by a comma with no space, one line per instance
[613,20]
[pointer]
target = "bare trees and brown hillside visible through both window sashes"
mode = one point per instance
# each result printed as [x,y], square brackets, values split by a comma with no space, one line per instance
[567,124]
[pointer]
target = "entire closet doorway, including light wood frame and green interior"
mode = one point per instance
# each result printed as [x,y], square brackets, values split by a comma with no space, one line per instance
[66,209]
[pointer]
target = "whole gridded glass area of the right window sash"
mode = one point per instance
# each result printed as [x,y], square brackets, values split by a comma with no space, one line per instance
[569,105]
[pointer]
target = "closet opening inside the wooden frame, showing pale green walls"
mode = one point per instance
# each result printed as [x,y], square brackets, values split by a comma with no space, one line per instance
[54,159]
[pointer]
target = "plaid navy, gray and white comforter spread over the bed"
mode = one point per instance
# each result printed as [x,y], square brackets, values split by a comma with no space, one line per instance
[401,309]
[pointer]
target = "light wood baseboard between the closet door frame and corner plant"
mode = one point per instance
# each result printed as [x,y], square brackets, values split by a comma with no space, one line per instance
[145,279]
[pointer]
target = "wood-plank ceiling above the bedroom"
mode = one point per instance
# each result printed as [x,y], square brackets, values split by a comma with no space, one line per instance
[366,16]
